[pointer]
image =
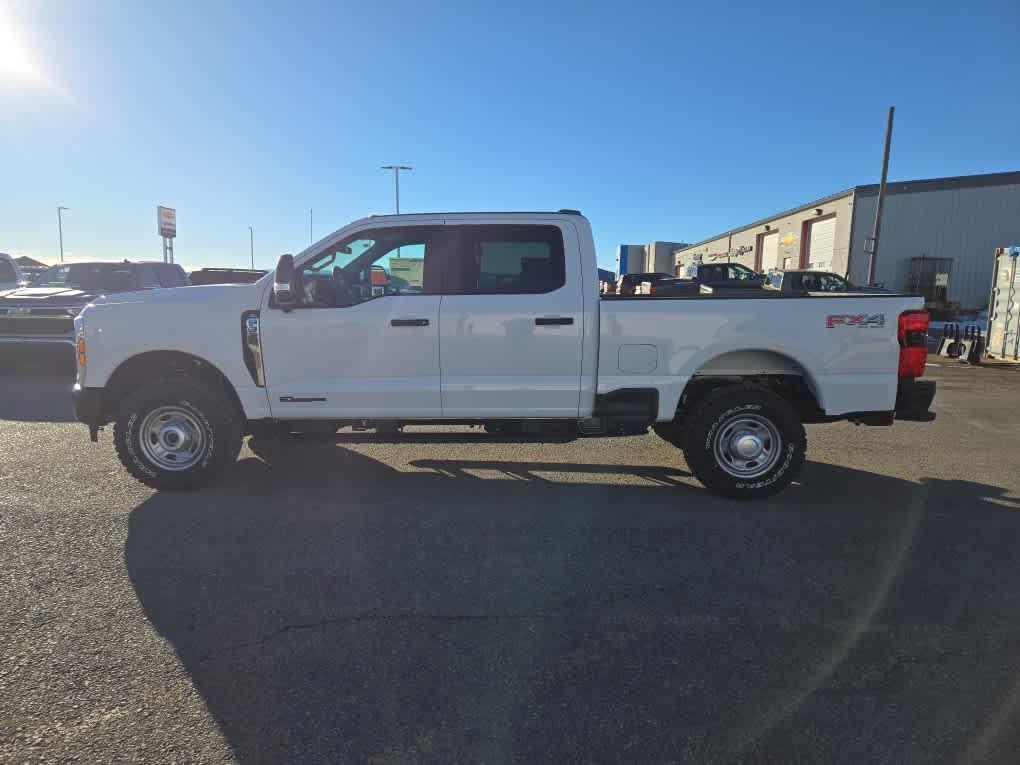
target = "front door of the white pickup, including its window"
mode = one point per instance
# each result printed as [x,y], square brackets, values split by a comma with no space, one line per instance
[365,340]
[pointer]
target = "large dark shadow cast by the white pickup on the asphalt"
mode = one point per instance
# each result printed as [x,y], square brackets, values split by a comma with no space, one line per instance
[495,611]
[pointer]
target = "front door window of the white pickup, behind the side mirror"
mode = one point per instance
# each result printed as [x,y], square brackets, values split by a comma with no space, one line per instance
[375,265]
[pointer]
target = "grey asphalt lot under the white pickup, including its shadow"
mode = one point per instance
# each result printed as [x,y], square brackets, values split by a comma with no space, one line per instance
[354,600]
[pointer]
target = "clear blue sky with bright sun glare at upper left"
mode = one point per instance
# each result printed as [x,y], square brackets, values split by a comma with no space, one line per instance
[659,121]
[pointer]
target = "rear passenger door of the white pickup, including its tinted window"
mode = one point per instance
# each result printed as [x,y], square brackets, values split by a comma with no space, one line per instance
[512,322]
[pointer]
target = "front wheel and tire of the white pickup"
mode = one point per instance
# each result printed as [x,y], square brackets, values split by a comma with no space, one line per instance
[208,417]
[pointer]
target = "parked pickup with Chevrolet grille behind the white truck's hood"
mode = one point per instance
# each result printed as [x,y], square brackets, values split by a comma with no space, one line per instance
[43,313]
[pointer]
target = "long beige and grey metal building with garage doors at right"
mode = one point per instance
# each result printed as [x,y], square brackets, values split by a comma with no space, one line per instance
[939,236]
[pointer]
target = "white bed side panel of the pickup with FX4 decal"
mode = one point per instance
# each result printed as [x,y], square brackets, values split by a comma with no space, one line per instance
[844,345]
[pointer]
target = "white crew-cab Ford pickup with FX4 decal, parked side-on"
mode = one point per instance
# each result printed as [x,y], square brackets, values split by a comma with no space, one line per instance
[492,320]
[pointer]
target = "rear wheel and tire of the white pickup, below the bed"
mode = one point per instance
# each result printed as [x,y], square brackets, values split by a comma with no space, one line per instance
[771,422]
